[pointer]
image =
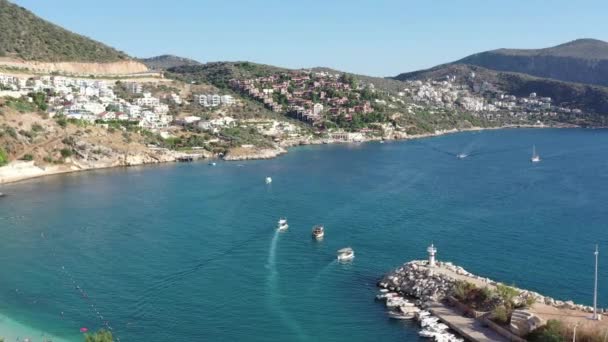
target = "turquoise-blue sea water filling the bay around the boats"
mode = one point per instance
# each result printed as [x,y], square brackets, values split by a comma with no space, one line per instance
[189,252]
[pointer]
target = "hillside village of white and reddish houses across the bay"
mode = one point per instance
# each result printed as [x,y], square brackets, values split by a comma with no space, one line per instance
[337,106]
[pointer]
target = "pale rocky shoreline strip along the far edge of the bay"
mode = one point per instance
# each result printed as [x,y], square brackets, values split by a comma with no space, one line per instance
[10,173]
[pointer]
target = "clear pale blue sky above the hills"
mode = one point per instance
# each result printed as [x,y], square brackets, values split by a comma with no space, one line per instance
[380,38]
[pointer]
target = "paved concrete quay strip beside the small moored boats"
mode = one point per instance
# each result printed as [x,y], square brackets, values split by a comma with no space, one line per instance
[469,328]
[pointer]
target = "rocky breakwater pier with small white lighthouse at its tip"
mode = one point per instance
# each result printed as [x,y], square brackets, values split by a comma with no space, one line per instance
[436,285]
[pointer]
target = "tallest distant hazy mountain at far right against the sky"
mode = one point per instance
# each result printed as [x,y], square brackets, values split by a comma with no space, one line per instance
[581,60]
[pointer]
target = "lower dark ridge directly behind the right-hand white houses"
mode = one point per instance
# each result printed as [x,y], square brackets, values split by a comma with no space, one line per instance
[591,99]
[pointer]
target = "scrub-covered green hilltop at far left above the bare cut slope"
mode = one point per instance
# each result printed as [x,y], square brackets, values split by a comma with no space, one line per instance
[26,36]
